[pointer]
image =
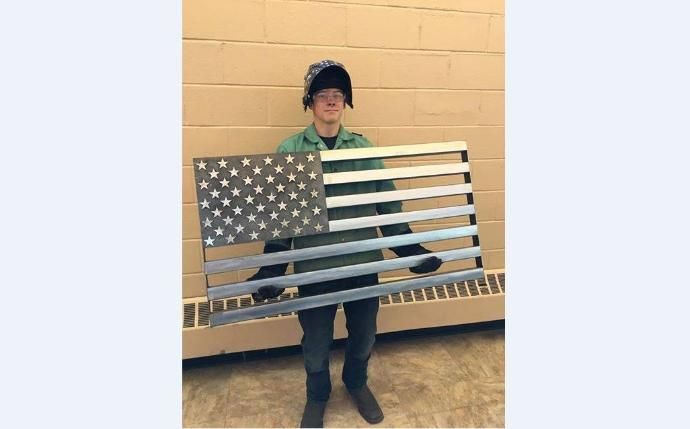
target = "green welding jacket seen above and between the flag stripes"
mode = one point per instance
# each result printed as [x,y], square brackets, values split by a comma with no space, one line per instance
[307,141]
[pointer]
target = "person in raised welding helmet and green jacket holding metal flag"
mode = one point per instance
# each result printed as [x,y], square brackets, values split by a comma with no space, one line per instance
[327,91]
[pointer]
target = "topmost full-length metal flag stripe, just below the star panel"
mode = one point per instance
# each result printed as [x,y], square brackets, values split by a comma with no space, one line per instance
[220,266]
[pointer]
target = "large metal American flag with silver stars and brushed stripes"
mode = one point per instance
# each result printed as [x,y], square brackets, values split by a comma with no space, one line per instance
[273,196]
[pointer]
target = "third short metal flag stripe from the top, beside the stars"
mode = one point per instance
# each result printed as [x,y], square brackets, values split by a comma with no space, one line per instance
[406,194]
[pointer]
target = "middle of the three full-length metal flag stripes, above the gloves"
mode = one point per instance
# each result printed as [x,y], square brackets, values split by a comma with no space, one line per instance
[243,288]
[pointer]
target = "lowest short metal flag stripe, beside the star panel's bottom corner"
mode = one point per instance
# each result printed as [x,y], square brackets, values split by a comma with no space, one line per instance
[393,218]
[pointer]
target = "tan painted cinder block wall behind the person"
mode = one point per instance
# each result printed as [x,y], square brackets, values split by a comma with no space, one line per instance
[422,71]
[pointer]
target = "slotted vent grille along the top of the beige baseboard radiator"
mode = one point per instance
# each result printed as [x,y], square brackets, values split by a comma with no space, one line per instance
[492,284]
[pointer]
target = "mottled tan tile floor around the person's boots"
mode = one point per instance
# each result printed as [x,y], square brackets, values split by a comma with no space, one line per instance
[444,377]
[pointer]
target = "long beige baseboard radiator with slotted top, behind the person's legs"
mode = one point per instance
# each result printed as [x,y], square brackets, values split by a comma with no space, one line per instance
[460,303]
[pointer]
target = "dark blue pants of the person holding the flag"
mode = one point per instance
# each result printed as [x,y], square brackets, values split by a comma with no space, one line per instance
[317,326]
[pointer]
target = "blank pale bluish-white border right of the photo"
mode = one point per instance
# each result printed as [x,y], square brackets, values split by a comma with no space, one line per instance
[596,243]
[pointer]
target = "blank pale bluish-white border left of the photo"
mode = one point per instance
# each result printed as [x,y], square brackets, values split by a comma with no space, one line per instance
[91,226]
